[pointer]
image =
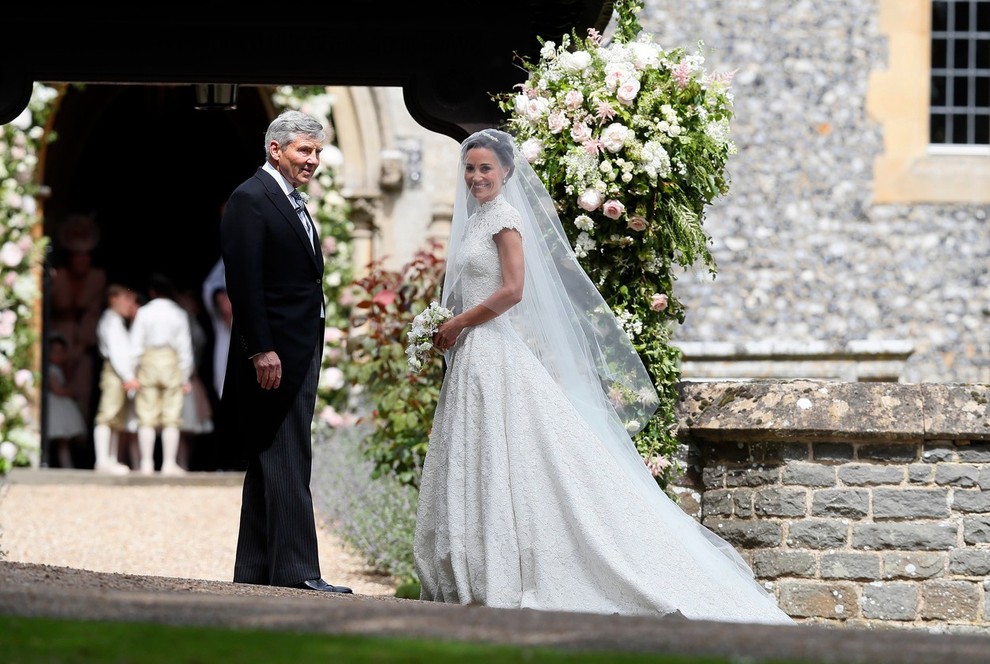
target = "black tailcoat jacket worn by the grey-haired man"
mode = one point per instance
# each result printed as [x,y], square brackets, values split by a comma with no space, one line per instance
[275,284]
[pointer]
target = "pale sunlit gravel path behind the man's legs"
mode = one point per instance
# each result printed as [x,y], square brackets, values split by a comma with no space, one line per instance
[183,527]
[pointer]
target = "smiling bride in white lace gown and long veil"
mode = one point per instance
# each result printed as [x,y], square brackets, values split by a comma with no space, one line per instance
[533,494]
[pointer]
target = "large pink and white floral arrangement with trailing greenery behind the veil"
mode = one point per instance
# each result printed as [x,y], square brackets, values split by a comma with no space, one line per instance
[631,140]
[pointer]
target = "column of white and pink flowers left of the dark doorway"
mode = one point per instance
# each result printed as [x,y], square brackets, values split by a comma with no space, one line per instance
[21,255]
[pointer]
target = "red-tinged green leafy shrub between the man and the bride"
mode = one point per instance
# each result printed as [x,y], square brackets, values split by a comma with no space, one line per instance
[398,402]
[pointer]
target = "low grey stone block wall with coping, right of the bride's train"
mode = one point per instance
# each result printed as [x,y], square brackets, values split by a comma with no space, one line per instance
[865,504]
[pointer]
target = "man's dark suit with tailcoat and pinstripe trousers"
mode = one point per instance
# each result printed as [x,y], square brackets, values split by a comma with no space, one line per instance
[274,280]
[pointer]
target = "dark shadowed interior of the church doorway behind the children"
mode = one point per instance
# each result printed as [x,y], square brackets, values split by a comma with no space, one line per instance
[153,172]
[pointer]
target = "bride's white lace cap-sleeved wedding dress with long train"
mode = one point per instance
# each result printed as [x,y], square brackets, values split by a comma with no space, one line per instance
[520,507]
